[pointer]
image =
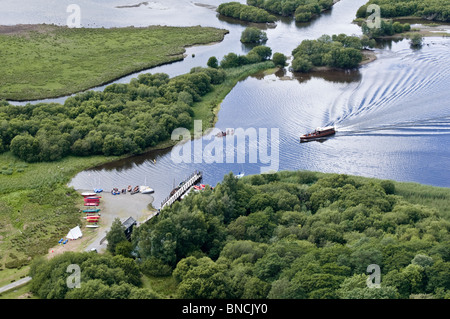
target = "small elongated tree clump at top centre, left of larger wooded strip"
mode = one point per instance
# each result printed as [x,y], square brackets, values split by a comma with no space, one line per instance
[245,13]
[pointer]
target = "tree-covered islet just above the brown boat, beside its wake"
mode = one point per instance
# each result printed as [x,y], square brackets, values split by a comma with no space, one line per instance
[337,51]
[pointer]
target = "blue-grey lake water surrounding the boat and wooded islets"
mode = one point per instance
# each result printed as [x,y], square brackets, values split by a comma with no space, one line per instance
[392,115]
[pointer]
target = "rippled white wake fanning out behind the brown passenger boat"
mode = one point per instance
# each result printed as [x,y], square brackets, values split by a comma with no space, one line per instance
[398,94]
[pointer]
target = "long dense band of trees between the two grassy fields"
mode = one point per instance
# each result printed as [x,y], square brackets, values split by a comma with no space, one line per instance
[123,119]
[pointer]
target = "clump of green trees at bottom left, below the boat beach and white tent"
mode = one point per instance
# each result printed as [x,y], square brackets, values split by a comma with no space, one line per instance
[101,277]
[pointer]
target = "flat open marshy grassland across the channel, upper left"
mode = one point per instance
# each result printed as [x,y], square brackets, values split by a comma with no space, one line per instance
[51,61]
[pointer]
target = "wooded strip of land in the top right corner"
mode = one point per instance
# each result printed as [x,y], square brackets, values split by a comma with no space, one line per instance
[437,10]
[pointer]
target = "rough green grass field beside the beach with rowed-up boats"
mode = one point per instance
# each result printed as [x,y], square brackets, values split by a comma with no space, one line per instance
[36,206]
